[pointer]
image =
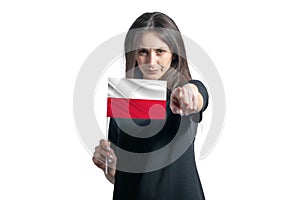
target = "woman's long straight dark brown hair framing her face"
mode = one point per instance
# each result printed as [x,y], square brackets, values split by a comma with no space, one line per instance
[166,29]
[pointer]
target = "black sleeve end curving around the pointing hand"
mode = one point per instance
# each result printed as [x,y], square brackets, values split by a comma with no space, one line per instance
[197,117]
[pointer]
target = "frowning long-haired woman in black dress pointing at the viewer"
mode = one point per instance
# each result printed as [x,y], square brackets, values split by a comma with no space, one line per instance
[154,49]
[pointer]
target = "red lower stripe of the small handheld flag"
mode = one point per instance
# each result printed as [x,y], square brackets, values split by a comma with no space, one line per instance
[136,108]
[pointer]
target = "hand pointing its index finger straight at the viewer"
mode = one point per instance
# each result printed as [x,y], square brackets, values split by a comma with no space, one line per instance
[186,100]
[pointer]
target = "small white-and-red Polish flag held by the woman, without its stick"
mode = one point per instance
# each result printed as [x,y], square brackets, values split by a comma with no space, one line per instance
[136,98]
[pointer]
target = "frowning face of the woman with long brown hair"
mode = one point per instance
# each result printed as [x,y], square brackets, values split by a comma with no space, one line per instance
[153,56]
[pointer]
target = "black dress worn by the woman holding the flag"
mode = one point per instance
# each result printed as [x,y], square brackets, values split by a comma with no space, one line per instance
[178,180]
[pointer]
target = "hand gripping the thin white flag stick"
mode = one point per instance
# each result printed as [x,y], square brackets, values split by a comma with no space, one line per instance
[103,152]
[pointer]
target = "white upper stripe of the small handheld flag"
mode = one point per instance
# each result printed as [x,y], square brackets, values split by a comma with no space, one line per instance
[137,89]
